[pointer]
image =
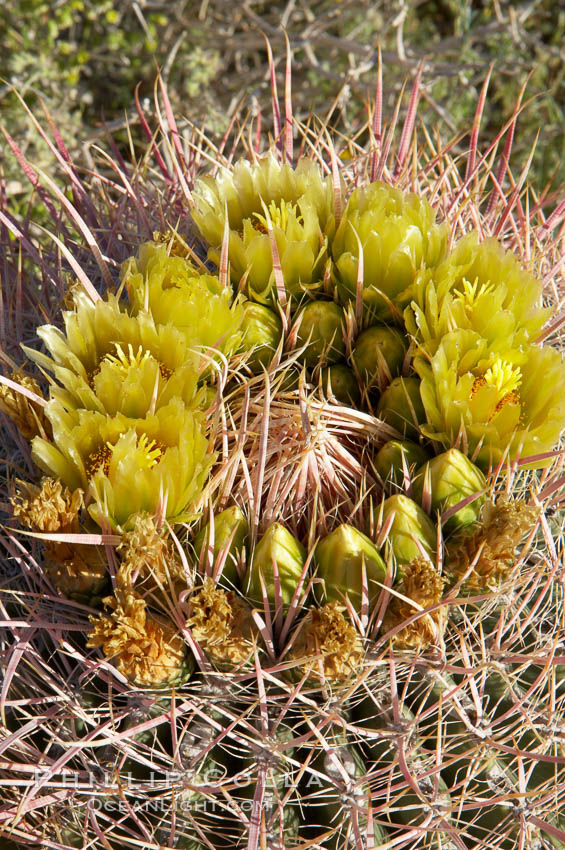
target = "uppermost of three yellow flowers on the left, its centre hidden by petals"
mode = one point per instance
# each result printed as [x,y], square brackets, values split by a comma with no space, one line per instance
[175,293]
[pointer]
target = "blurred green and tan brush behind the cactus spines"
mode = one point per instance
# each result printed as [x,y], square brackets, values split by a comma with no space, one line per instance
[85,58]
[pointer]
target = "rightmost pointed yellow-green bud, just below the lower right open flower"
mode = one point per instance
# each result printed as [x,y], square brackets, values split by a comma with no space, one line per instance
[451,478]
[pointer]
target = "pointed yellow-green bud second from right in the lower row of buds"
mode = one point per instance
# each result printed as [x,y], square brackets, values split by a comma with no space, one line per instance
[412,532]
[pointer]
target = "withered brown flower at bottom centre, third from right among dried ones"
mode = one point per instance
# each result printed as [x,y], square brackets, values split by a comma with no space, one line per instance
[327,646]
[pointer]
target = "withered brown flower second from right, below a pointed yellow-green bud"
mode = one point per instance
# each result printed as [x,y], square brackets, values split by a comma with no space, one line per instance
[422,584]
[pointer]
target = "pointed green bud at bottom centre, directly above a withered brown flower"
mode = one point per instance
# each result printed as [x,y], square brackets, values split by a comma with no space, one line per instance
[340,558]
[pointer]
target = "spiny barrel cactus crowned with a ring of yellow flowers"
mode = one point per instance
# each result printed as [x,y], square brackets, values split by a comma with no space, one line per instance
[284,505]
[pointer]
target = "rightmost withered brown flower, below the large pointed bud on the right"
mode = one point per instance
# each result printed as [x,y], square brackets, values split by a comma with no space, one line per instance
[490,546]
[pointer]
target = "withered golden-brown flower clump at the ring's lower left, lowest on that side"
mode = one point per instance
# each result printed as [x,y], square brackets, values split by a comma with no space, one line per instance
[151,653]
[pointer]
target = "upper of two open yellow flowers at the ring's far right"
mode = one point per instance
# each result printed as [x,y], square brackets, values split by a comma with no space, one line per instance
[478,287]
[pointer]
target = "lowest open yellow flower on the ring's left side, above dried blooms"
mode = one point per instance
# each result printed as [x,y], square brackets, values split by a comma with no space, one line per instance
[157,465]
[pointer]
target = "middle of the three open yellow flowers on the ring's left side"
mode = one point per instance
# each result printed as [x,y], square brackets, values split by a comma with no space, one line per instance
[114,363]
